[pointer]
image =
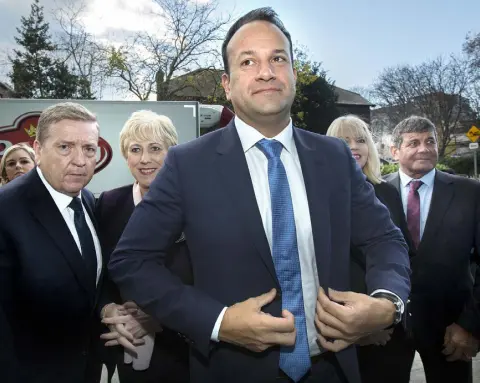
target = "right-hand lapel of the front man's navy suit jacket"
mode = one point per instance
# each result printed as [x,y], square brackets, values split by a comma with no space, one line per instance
[312,162]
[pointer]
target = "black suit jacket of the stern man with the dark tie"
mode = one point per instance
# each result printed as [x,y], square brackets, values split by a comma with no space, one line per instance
[44,291]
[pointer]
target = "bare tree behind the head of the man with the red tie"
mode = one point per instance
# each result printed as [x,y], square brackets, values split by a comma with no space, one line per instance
[436,89]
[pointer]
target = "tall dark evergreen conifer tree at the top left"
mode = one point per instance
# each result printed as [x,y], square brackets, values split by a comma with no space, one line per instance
[36,71]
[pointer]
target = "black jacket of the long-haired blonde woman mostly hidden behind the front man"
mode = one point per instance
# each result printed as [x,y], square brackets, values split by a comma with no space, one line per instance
[388,195]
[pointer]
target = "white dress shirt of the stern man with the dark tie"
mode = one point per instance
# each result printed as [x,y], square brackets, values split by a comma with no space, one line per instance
[62,201]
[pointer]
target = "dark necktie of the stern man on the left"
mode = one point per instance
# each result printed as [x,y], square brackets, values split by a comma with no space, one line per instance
[87,245]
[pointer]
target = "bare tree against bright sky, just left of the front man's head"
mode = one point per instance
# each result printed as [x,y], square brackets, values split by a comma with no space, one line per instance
[187,41]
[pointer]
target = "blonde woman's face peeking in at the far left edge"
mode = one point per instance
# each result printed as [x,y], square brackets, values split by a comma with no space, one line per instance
[17,160]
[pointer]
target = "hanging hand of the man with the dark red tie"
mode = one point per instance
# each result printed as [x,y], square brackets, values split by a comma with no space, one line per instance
[459,344]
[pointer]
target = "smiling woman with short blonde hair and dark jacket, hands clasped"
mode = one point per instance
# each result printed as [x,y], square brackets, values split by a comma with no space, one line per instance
[144,142]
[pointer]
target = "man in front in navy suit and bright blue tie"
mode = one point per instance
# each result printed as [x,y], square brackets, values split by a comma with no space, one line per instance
[269,212]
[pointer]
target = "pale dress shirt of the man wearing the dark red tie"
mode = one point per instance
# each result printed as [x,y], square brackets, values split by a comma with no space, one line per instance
[425,193]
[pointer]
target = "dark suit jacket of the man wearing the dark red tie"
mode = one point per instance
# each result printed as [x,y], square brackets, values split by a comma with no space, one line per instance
[443,289]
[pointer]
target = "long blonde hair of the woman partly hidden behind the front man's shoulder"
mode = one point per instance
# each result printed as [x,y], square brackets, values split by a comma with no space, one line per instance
[354,127]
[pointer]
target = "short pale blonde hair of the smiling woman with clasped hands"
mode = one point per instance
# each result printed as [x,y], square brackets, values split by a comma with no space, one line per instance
[145,125]
